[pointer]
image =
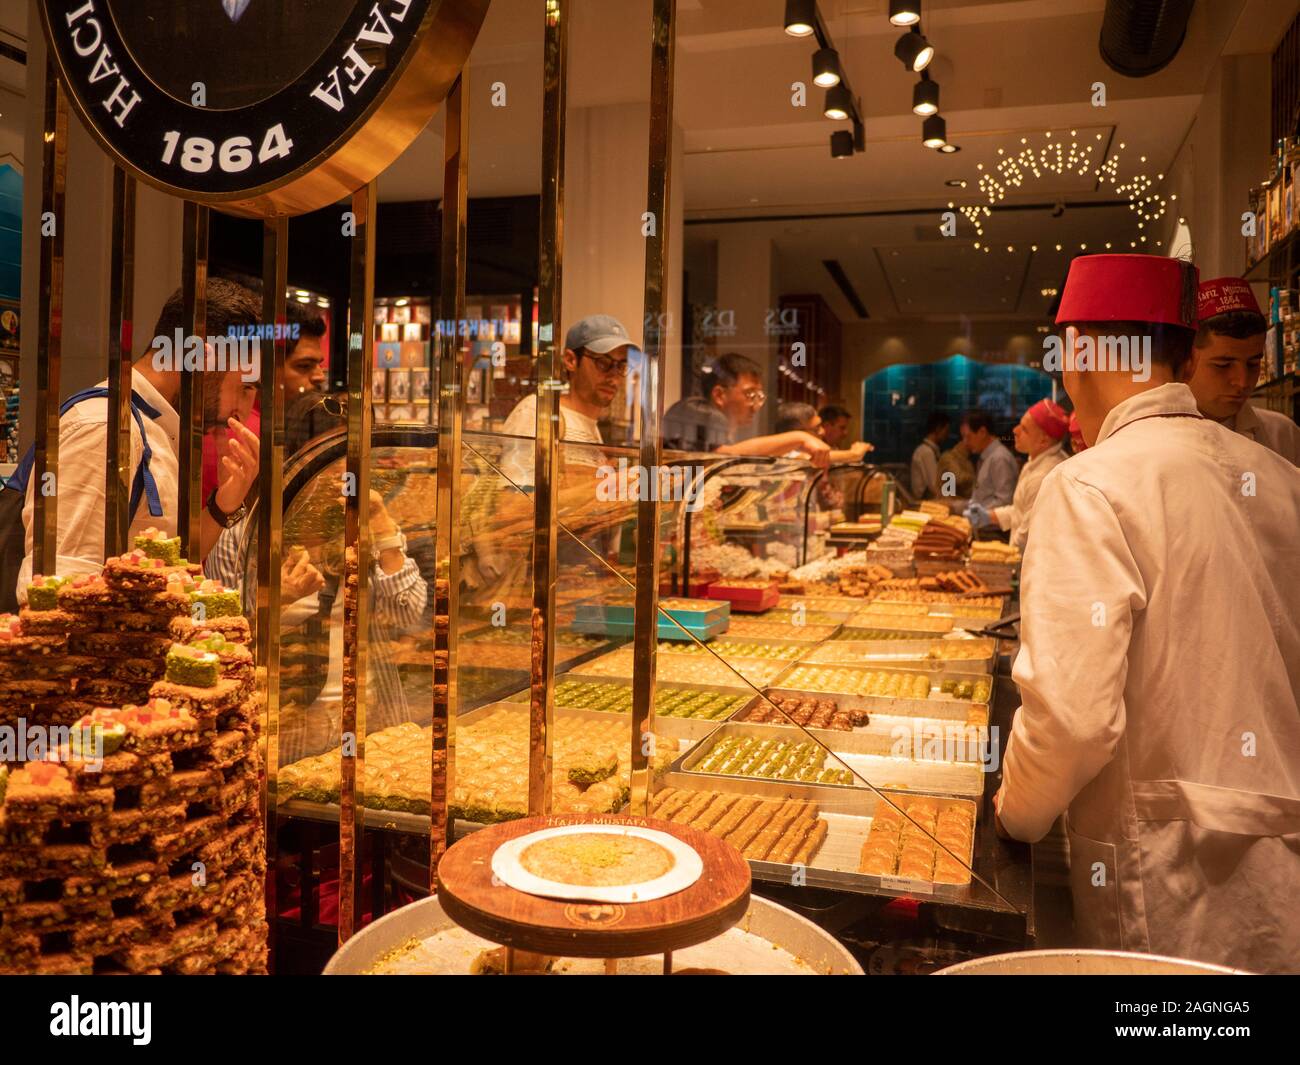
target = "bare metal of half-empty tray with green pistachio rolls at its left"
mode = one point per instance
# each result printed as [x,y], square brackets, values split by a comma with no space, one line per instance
[881,770]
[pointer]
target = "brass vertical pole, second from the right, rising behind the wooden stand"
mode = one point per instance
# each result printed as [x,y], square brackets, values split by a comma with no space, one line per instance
[549,382]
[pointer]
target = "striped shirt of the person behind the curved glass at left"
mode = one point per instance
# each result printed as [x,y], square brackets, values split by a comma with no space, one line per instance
[398,605]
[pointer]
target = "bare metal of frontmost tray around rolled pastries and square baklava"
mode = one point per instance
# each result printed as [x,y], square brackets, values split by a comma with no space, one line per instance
[848,813]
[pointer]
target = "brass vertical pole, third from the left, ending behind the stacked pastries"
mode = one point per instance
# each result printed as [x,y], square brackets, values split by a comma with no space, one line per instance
[194,289]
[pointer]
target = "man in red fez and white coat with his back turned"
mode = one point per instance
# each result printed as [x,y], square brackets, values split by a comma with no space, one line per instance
[1160,660]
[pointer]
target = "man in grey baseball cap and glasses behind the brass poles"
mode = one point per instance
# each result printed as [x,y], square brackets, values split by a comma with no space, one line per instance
[596,363]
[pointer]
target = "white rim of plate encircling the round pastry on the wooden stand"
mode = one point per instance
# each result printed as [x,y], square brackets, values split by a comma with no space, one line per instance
[687,867]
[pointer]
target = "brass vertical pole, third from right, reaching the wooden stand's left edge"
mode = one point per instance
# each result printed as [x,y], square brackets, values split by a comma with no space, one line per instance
[450,399]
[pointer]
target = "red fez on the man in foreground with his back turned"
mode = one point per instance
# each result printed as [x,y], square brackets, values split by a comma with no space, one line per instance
[1130,288]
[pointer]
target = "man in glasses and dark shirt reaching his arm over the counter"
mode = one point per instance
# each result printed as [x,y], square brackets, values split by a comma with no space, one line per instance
[731,395]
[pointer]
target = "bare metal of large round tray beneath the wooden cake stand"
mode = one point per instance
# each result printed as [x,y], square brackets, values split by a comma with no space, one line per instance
[775,924]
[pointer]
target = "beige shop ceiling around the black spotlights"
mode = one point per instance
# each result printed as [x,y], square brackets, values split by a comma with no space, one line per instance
[1008,70]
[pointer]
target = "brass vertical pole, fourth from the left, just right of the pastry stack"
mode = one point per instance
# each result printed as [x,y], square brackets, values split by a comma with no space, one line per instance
[275,261]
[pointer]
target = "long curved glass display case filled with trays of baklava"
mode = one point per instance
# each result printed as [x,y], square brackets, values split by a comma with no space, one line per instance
[839,743]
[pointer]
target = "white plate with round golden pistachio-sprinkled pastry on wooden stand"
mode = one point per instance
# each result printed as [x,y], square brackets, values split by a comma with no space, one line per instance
[600,863]
